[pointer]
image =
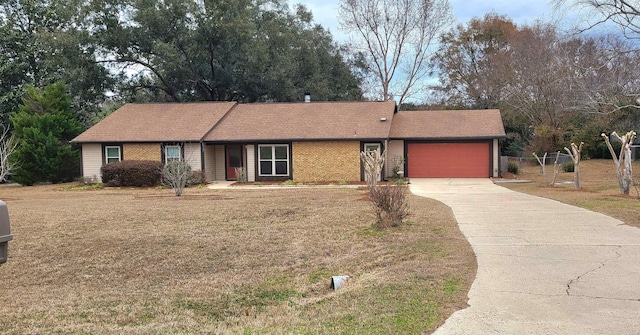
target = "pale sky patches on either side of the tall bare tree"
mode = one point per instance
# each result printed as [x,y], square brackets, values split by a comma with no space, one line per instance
[520,11]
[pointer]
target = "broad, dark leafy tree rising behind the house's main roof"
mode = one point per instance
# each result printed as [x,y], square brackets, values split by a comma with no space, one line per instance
[242,50]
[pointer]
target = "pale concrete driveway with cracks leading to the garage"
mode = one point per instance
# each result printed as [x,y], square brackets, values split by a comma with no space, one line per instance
[543,267]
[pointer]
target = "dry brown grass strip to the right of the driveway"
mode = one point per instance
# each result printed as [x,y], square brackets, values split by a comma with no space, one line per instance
[599,190]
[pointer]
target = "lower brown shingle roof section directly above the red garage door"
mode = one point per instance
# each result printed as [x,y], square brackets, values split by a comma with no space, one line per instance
[452,124]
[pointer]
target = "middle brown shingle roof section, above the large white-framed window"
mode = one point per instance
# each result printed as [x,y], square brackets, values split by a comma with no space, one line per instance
[305,121]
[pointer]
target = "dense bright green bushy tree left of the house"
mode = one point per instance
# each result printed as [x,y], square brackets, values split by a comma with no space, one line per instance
[44,126]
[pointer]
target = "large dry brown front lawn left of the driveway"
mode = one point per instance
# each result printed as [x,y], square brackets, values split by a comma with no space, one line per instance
[230,261]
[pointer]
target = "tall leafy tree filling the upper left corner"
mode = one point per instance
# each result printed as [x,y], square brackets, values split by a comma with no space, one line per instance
[45,41]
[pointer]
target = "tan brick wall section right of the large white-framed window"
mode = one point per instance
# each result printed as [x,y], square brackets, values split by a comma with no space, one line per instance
[326,161]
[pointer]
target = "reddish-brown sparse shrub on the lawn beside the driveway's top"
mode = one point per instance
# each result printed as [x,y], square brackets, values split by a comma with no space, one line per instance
[390,204]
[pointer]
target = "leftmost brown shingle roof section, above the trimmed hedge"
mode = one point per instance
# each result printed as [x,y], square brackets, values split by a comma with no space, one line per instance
[157,122]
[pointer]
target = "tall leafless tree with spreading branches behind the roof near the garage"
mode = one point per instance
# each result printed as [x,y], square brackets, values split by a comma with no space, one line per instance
[398,37]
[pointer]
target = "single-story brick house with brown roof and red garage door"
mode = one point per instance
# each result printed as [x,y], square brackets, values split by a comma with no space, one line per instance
[304,142]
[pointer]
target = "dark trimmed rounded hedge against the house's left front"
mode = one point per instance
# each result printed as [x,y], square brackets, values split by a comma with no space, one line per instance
[132,173]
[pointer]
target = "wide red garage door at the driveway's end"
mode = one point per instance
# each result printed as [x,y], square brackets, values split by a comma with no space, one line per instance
[448,160]
